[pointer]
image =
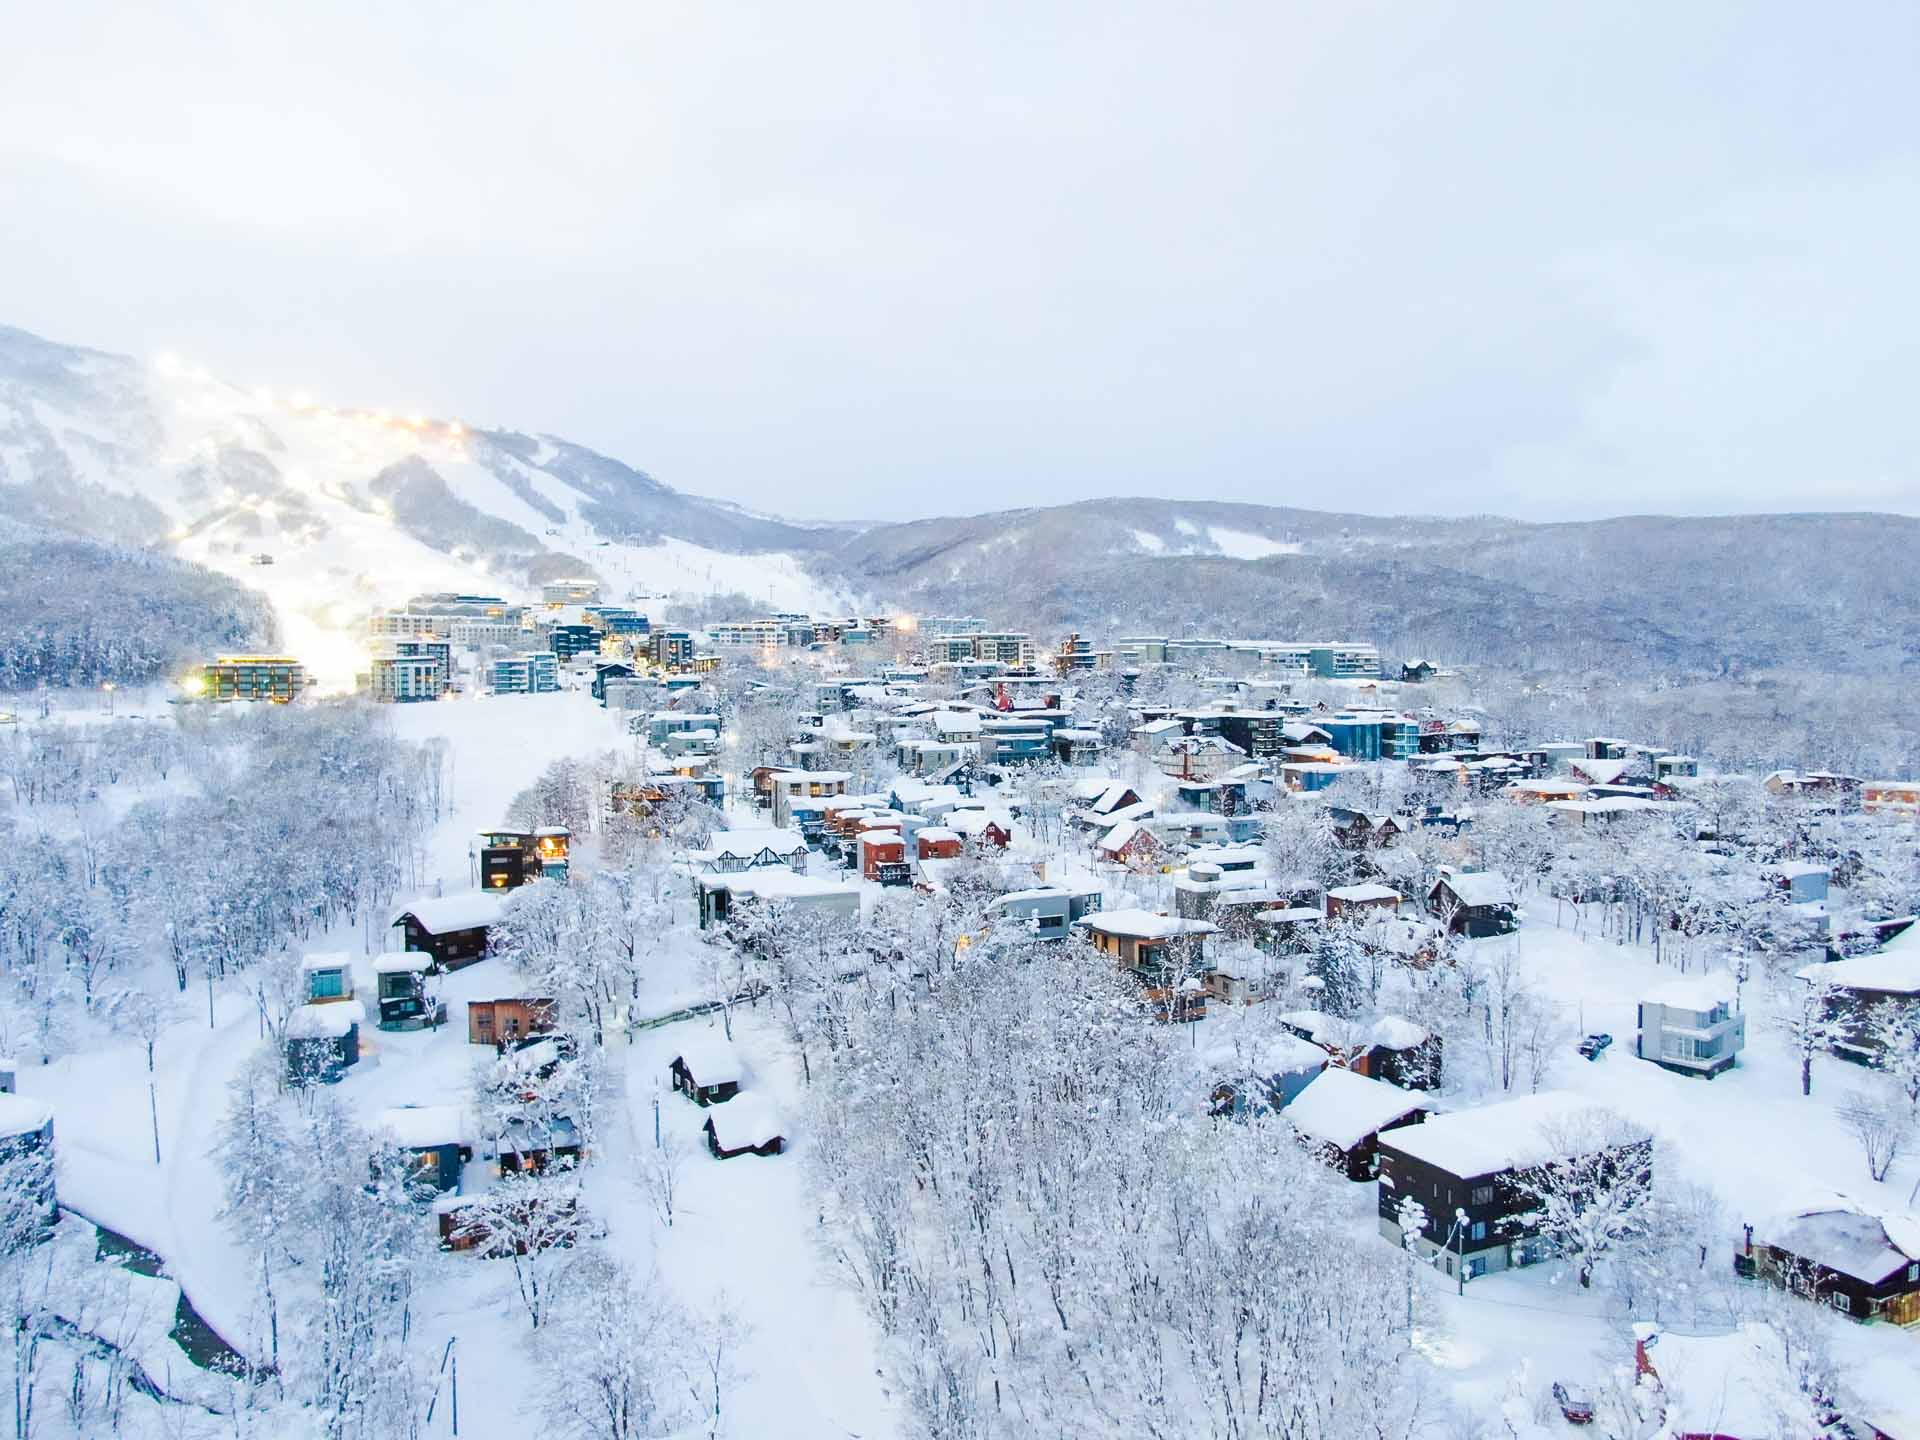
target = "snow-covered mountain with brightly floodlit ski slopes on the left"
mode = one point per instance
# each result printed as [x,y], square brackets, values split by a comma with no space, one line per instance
[356,508]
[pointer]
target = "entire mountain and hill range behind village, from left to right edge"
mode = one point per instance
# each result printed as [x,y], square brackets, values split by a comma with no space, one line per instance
[358,508]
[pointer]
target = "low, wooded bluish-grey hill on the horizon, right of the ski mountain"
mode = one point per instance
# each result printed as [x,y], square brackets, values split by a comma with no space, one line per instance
[1829,592]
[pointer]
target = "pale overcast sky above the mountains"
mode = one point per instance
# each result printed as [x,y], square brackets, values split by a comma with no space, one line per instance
[903,260]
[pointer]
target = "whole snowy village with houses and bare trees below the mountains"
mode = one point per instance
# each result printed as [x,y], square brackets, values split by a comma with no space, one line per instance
[890,1026]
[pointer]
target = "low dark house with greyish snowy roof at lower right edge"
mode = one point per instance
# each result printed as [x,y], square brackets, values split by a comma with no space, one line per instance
[1867,1266]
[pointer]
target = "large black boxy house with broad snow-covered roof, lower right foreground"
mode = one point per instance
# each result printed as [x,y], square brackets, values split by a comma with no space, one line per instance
[1472,1163]
